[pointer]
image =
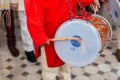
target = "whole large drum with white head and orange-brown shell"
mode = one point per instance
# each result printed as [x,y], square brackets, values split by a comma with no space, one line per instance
[93,35]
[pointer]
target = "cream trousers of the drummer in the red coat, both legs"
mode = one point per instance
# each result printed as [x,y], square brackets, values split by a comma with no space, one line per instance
[51,73]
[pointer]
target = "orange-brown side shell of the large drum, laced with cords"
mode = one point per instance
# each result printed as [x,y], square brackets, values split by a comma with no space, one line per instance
[103,27]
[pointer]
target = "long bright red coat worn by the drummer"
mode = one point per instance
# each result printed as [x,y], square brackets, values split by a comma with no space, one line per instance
[43,19]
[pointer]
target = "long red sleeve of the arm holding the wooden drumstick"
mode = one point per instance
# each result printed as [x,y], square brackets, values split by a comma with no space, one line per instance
[34,15]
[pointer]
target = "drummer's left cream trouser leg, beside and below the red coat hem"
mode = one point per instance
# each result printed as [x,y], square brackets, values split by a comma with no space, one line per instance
[47,73]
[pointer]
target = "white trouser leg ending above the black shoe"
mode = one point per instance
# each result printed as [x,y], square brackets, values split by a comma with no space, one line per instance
[26,38]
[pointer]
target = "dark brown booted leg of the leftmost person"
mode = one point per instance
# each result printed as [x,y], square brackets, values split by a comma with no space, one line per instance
[9,24]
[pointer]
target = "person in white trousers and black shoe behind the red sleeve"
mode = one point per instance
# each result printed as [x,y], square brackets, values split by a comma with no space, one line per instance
[18,5]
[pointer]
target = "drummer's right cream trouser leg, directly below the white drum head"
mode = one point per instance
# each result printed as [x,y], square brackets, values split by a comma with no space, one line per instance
[65,72]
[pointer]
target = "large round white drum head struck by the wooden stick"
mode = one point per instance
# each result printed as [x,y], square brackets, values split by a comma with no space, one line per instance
[72,52]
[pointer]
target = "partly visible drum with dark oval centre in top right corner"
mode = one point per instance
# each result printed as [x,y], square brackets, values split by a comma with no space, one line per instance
[115,10]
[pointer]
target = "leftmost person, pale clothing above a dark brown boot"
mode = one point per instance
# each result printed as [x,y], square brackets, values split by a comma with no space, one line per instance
[7,14]
